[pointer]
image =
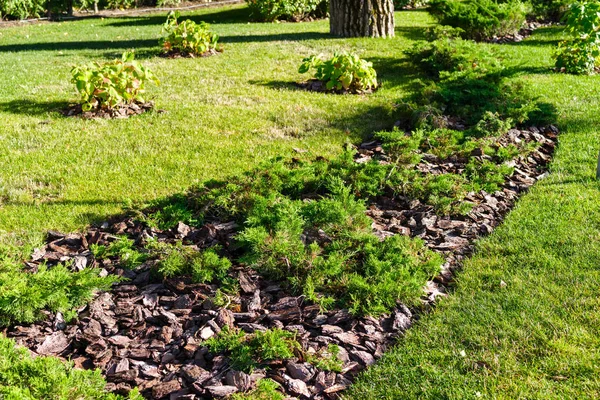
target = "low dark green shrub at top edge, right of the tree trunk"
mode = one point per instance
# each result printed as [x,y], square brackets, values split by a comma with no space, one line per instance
[480,19]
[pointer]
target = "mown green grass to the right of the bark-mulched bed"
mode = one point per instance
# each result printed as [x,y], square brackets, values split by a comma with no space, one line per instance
[537,337]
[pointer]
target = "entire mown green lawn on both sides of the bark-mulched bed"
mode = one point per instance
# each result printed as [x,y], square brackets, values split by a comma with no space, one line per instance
[535,339]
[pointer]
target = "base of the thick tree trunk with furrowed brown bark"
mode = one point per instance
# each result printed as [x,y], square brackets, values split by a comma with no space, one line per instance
[361,18]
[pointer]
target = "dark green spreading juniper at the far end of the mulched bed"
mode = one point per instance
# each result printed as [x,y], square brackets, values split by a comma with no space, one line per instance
[463,73]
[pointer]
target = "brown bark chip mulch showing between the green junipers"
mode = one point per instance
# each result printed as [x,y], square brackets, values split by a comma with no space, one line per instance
[149,334]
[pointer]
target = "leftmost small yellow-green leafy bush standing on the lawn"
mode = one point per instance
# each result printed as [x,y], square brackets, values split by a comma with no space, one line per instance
[112,84]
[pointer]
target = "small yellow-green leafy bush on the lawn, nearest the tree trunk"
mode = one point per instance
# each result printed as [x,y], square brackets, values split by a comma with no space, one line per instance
[342,72]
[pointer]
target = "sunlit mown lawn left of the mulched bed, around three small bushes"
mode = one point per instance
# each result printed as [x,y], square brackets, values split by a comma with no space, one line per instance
[224,114]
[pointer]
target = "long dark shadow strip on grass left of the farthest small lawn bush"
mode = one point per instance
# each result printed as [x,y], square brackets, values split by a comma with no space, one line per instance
[139,45]
